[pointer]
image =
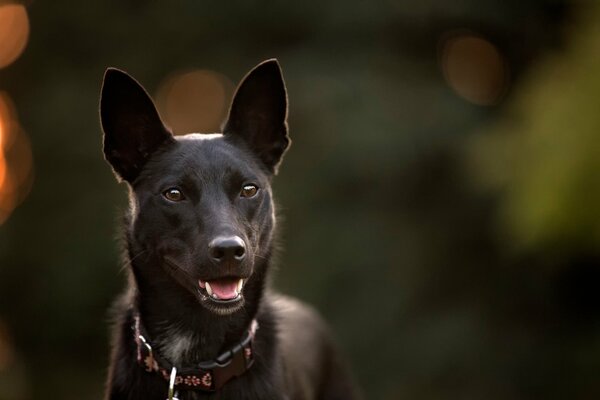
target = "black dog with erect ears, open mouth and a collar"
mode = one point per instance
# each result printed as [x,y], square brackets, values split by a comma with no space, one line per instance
[198,320]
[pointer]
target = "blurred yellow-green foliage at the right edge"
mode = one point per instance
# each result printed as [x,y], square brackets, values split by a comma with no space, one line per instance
[543,155]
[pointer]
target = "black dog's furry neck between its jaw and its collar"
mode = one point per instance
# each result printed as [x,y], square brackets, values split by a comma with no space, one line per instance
[180,328]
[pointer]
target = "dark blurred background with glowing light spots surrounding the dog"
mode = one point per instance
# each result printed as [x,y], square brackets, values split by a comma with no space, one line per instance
[440,202]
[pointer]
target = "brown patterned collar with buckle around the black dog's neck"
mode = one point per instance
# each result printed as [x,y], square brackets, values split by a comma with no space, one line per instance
[208,376]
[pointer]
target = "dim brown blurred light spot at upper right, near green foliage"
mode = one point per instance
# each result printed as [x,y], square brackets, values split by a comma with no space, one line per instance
[474,68]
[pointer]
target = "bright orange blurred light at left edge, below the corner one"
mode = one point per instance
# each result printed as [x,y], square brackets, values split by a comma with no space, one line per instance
[16,160]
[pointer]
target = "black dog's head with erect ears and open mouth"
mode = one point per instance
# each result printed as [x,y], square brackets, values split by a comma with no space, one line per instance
[202,212]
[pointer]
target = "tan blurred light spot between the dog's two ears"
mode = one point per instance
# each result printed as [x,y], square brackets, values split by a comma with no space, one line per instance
[194,101]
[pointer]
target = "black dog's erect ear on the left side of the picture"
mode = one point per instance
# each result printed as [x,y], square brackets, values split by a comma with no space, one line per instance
[132,127]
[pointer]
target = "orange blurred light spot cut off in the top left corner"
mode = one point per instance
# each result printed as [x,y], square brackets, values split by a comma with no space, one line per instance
[14,32]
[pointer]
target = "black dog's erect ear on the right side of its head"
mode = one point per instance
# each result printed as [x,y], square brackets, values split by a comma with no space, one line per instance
[258,113]
